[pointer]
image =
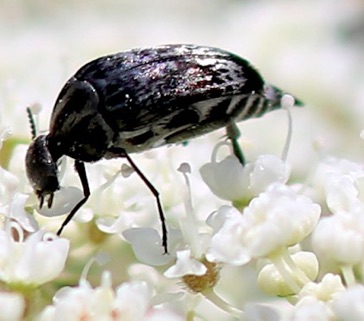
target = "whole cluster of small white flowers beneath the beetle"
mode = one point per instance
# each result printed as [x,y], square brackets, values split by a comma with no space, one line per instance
[271,249]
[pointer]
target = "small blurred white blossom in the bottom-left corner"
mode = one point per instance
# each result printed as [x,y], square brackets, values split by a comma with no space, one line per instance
[12,306]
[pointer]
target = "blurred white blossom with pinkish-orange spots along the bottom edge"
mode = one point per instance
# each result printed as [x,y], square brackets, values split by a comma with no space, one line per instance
[130,302]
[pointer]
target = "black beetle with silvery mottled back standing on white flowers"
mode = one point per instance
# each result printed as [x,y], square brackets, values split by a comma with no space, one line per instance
[141,99]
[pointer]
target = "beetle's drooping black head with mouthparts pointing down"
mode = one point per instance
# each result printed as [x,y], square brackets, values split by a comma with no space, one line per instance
[41,169]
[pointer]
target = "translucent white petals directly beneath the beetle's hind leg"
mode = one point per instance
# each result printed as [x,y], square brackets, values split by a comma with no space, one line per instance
[231,181]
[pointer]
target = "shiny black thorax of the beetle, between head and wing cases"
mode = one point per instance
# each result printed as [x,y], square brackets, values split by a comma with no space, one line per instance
[78,128]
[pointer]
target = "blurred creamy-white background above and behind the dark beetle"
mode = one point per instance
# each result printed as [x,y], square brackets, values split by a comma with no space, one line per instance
[311,48]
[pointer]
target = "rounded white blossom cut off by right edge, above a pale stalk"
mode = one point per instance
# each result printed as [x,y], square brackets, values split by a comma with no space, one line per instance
[340,238]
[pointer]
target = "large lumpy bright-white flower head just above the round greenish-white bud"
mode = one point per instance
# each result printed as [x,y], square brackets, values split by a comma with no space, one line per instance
[278,218]
